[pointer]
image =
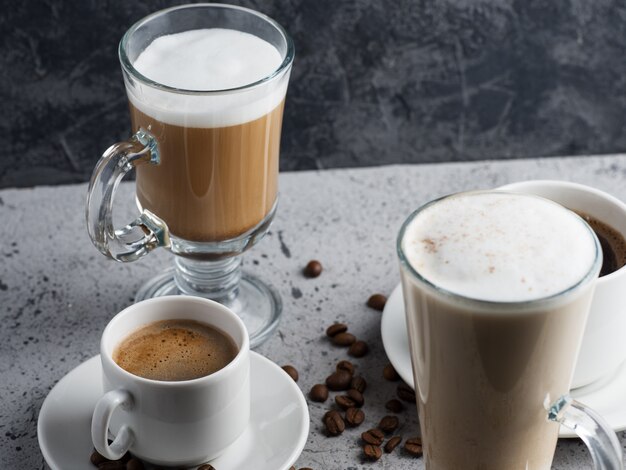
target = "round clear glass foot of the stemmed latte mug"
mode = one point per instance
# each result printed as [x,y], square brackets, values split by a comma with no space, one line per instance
[256,303]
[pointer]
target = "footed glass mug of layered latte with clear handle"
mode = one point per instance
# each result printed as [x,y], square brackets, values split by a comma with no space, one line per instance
[206,85]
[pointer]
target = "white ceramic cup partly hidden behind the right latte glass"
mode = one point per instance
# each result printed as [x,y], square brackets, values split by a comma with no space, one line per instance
[603,348]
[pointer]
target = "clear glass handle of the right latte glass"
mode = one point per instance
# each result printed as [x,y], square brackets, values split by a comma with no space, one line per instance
[602,442]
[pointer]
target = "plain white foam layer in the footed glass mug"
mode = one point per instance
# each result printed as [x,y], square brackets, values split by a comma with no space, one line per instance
[208,60]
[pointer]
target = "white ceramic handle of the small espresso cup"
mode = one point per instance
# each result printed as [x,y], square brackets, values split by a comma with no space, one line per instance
[100,425]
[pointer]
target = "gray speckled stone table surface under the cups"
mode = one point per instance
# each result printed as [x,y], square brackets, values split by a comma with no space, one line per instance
[57,292]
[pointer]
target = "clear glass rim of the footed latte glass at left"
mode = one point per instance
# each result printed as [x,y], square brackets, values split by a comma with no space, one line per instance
[128,67]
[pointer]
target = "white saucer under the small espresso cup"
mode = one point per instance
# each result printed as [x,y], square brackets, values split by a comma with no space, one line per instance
[279,420]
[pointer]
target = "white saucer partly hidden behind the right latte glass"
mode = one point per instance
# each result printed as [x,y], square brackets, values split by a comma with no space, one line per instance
[606,397]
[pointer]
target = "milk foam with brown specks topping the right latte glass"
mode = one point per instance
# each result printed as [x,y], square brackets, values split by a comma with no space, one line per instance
[499,247]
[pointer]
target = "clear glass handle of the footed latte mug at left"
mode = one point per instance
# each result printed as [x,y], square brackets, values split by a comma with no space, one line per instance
[145,233]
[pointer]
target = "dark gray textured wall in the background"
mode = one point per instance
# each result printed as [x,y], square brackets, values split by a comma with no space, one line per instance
[374,82]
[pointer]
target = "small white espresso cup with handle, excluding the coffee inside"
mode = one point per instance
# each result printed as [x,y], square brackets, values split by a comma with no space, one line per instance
[182,423]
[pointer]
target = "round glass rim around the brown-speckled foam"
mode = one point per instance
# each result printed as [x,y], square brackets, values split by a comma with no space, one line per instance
[591,273]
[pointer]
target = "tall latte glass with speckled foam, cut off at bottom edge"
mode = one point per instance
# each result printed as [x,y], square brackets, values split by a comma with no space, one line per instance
[497,288]
